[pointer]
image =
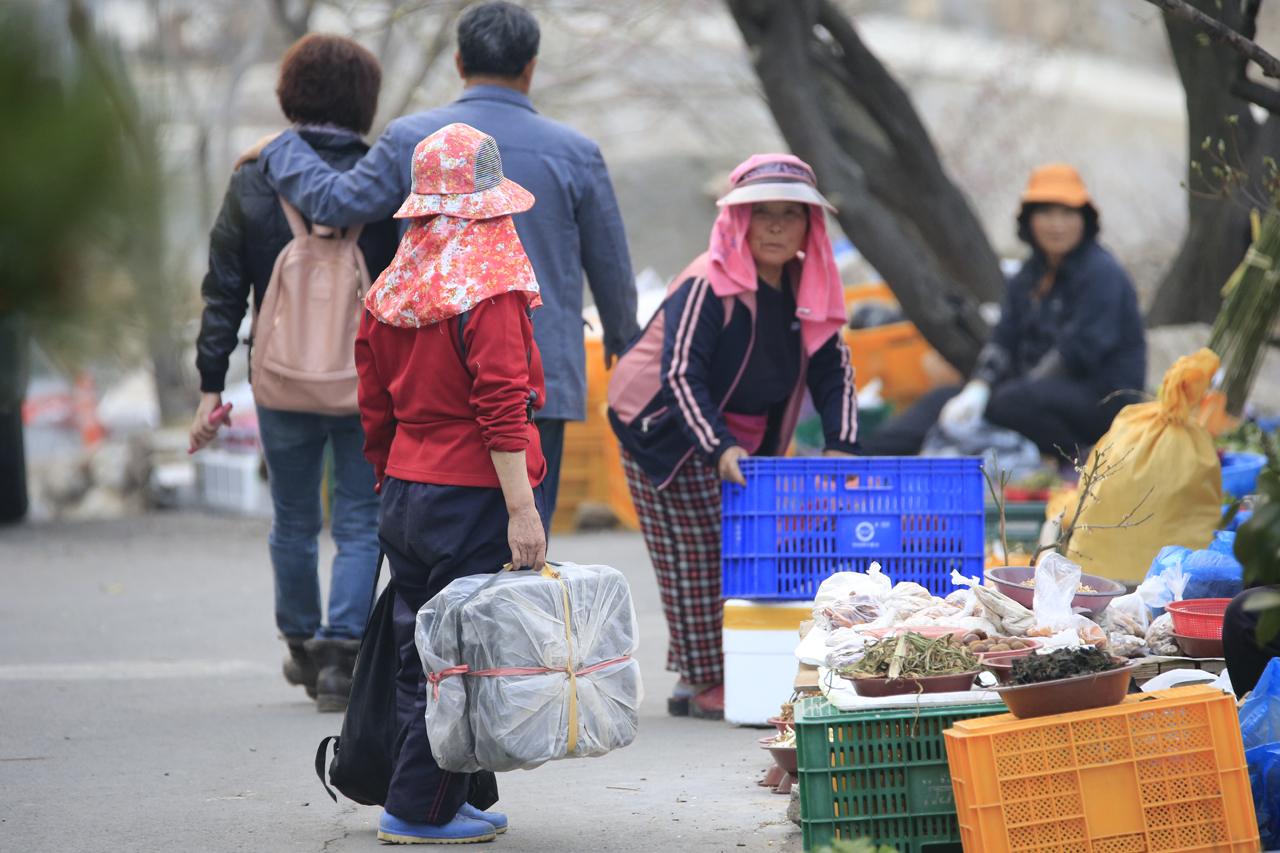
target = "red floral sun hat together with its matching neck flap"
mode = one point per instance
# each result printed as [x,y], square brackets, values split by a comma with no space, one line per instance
[463,247]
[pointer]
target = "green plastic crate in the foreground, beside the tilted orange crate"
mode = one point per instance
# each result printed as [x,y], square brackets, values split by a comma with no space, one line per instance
[880,776]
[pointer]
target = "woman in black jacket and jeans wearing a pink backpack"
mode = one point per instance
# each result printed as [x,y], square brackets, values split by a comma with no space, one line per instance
[304,370]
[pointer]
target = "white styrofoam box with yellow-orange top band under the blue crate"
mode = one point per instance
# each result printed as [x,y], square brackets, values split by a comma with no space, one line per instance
[760,658]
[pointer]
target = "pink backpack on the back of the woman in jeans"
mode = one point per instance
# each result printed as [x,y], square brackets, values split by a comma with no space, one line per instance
[304,350]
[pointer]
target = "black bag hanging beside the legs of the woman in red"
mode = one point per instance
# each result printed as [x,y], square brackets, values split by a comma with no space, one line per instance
[364,754]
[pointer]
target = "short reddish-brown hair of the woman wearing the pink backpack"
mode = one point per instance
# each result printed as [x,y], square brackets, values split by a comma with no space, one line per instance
[330,80]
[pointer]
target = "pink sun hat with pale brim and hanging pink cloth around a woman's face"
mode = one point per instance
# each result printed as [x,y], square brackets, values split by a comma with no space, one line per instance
[732,268]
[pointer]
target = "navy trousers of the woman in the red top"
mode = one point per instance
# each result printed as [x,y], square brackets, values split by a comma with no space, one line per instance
[433,535]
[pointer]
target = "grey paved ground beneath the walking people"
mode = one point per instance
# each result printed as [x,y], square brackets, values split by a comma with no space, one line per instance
[141,709]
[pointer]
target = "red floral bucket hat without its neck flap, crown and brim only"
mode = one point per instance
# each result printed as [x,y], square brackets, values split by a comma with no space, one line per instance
[458,172]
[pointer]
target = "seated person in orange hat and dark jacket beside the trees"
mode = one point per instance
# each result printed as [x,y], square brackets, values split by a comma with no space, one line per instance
[1069,350]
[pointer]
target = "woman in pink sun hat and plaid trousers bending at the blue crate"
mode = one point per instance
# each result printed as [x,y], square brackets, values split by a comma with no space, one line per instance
[720,375]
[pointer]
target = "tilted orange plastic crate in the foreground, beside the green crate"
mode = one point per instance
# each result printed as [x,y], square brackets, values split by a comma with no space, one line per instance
[1162,773]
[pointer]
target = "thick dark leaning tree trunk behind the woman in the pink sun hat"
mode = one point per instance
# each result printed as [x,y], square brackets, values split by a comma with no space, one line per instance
[842,112]
